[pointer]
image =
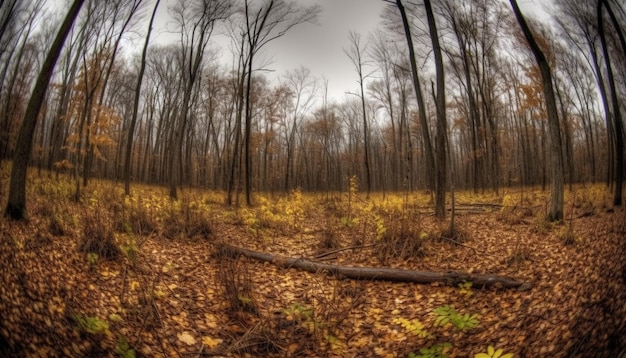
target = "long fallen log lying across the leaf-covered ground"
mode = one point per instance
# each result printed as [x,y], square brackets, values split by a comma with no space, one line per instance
[452,278]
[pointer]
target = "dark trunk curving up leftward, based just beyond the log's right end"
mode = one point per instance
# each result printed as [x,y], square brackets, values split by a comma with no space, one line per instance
[555,212]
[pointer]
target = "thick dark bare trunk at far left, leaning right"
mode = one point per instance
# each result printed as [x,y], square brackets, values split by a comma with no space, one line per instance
[16,206]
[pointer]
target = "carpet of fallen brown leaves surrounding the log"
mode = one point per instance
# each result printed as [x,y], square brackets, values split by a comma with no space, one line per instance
[173,305]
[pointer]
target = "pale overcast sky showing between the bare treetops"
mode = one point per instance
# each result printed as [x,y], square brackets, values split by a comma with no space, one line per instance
[318,47]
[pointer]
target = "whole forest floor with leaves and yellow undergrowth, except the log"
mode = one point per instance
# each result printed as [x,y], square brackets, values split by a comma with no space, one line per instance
[145,276]
